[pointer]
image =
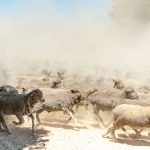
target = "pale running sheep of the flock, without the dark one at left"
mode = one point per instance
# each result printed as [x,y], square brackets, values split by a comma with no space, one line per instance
[127,109]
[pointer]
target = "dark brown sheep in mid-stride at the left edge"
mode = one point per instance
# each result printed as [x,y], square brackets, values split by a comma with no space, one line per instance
[19,105]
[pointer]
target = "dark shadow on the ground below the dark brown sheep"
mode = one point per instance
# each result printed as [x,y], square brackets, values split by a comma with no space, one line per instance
[22,137]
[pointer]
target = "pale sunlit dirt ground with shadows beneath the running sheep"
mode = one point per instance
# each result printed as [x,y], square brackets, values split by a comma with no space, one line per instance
[56,134]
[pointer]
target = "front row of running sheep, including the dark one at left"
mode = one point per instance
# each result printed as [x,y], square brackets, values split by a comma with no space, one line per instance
[127,110]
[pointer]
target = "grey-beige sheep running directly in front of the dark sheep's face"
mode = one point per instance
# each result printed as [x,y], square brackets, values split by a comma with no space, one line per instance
[64,102]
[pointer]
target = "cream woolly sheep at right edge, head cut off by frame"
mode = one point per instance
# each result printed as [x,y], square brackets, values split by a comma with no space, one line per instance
[135,116]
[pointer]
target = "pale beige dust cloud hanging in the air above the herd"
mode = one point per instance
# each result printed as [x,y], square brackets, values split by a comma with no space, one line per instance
[114,41]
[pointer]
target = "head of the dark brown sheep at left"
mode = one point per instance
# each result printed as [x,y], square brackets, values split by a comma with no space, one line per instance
[34,97]
